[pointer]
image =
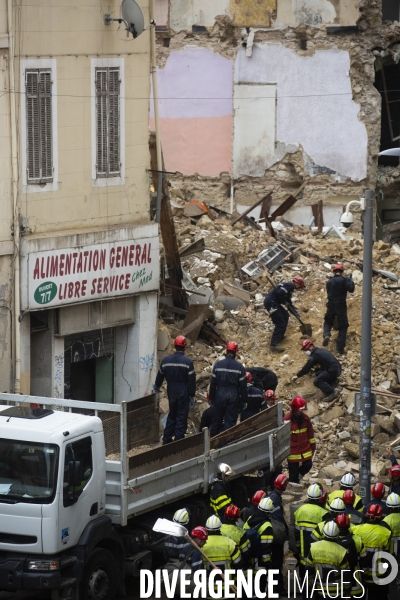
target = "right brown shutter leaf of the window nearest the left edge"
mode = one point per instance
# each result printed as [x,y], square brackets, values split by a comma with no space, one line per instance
[46,152]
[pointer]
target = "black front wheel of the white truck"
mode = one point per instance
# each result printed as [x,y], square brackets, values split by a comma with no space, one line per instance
[100,577]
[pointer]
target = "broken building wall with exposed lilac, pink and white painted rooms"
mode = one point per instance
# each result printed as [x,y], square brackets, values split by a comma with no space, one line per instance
[261,96]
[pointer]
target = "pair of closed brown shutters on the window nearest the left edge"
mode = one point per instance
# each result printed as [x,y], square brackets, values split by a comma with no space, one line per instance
[39,146]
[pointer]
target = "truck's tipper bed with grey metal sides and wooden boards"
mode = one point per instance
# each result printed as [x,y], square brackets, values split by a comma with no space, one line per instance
[152,479]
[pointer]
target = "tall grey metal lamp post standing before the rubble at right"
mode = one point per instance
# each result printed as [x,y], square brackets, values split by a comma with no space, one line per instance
[366,343]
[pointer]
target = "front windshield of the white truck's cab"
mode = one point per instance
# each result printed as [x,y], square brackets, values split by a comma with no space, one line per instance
[28,471]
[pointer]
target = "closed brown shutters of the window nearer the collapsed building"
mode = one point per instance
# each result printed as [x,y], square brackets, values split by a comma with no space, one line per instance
[108,162]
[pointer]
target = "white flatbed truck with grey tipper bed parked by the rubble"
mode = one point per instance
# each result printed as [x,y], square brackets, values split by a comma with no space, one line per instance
[71,494]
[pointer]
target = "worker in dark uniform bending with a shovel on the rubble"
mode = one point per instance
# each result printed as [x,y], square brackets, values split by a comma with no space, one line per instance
[279,295]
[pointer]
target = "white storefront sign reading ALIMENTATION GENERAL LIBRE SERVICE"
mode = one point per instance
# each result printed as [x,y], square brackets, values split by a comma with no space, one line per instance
[100,271]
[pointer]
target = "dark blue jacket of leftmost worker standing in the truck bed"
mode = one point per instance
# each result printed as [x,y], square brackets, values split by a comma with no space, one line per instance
[178,370]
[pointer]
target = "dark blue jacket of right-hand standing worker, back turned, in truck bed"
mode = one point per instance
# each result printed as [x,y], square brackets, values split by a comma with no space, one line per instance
[228,374]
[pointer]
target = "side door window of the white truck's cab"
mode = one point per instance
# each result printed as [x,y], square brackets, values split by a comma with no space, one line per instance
[78,465]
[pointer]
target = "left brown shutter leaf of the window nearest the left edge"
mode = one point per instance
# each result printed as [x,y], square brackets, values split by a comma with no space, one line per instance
[32,125]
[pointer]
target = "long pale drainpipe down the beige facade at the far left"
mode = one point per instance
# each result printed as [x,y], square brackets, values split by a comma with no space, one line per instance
[14,164]
